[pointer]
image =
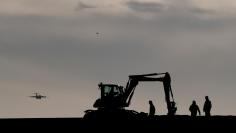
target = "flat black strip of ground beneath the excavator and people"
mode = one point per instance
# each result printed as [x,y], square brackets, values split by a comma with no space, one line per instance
[160,123]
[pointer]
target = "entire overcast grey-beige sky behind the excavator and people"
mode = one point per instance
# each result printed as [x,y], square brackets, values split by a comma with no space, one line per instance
[51,47]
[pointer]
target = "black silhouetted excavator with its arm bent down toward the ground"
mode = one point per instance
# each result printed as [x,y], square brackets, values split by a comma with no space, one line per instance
[115,98]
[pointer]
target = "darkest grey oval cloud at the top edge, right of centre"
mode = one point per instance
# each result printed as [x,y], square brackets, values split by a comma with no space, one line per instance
[145,6]
